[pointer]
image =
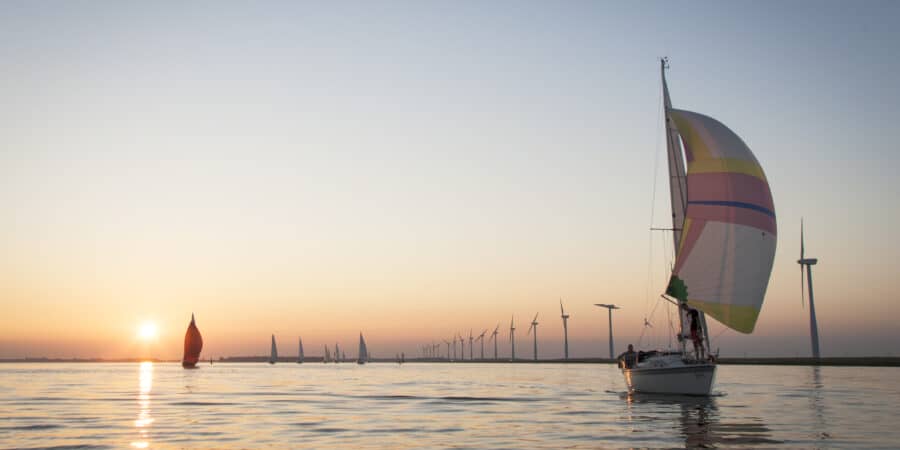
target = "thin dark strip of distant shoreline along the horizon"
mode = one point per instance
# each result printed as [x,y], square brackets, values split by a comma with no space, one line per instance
[855,361]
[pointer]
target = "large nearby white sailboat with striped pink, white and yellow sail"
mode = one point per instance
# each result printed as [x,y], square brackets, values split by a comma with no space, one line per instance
[724,231]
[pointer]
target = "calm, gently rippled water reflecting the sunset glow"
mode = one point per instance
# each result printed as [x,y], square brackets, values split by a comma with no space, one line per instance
[436,405]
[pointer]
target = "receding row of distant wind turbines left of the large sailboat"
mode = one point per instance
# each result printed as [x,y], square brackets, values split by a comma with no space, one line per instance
[432,350]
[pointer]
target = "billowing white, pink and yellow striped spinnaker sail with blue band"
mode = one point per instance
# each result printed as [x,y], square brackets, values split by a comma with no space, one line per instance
[727,246]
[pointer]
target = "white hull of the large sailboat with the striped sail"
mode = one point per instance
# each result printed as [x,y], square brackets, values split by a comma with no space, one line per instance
[667,375]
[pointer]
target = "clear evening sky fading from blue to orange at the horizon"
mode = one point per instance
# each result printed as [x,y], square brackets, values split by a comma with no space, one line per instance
[414,169]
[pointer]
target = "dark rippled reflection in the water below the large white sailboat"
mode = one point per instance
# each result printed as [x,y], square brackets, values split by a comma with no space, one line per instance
[701,423]
